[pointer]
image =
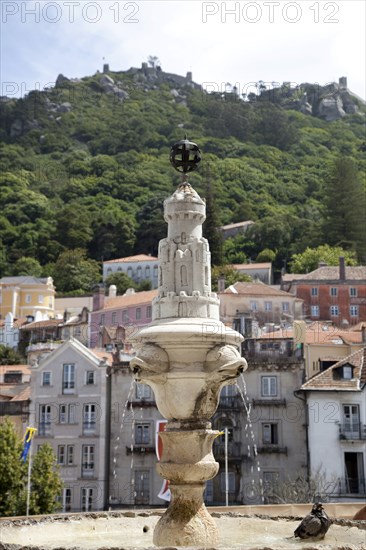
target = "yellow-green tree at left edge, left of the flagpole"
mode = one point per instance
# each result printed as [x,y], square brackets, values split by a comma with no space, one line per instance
[12,470]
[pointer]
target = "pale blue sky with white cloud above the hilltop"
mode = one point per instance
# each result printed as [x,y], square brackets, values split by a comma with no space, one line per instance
[220,42]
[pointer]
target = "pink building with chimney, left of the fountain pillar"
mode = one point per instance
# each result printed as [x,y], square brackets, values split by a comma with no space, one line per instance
[133,309]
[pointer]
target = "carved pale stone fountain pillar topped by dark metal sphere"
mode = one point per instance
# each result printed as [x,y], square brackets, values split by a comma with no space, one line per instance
[186,355]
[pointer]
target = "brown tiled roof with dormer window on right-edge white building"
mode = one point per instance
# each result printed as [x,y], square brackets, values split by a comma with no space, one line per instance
[328,381]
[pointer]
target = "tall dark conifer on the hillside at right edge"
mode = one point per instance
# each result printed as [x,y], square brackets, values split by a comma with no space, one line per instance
[345,207]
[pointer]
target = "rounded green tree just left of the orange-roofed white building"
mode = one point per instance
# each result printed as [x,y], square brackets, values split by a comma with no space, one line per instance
[73,272]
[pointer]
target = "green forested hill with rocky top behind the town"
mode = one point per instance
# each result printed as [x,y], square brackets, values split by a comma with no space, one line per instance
[85,165]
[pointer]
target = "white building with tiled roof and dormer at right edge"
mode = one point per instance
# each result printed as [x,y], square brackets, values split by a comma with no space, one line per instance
[336,403]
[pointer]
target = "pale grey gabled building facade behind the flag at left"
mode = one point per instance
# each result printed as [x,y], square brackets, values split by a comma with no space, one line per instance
[69,408]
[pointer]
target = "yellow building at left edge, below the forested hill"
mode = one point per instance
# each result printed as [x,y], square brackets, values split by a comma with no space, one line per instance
[24,295]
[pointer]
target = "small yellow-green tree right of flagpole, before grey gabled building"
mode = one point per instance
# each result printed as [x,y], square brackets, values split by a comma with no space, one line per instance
[46,484]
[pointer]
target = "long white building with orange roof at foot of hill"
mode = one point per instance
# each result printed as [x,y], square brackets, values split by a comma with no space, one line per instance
[139,268]
